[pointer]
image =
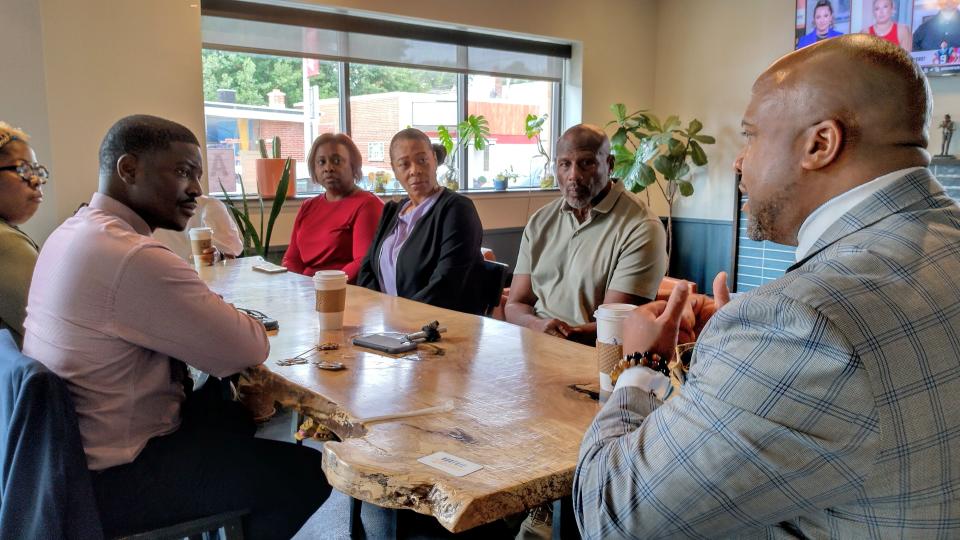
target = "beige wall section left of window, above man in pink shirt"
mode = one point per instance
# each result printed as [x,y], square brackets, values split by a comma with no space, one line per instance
[108,59]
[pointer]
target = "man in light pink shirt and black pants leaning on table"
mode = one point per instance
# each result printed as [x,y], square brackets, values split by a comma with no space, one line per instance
[116,314]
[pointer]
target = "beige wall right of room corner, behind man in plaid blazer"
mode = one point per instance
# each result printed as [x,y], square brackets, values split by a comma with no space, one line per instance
[708,56]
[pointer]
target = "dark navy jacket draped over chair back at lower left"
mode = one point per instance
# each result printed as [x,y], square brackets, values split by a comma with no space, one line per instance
[45,488]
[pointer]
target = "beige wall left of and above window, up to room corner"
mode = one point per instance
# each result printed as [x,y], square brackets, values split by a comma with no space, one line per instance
[98,60]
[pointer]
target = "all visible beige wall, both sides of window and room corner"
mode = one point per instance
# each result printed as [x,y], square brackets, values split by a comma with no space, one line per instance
[84,64]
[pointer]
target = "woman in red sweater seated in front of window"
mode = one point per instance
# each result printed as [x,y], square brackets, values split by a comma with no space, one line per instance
[333,231]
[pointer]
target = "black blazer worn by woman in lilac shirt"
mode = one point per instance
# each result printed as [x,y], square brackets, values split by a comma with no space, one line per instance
[438,263]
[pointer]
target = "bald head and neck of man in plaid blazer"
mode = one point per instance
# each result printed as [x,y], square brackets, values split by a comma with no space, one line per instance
[824,120]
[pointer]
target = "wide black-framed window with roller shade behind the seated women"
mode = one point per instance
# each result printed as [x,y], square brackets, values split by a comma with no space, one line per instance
[296,73]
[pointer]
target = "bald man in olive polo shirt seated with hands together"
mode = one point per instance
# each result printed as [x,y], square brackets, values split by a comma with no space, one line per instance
[597,244]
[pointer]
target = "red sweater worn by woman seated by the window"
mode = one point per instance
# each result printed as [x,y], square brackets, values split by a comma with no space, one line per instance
[333,235]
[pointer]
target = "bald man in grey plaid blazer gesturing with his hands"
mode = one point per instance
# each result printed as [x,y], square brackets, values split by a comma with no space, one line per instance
[823,404]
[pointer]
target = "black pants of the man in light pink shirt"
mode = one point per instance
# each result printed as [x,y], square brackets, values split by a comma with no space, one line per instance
[213,464]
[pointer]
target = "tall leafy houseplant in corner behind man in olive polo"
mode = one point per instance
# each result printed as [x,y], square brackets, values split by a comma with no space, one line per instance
[649,152]
